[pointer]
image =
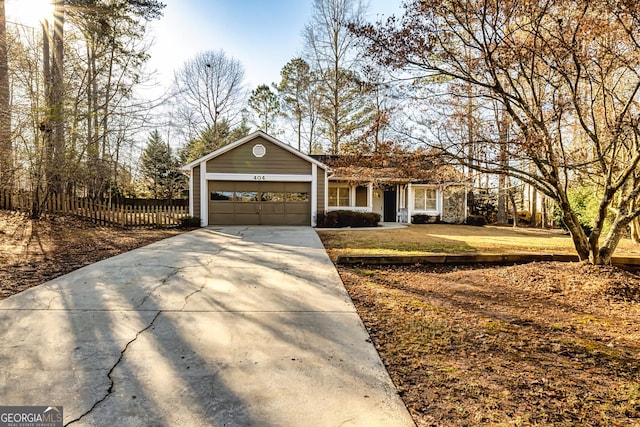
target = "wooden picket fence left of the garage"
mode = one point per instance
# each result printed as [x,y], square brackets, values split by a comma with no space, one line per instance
[121,213]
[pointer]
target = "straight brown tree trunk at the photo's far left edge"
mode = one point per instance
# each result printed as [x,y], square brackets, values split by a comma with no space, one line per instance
[6,146]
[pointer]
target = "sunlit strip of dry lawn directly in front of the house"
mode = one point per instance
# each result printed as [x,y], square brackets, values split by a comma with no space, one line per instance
[444,238]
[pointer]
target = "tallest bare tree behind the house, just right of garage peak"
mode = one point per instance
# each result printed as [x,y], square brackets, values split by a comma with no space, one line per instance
[332,52]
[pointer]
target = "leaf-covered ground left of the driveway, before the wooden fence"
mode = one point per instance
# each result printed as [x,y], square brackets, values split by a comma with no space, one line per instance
[35,251]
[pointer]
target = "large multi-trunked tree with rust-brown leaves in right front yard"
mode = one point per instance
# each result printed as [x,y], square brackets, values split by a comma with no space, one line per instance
[565,72]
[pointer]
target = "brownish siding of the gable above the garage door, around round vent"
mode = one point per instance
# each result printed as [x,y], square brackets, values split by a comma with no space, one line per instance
[276,161]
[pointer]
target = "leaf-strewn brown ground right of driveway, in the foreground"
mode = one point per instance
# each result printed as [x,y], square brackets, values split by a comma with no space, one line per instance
[536,344]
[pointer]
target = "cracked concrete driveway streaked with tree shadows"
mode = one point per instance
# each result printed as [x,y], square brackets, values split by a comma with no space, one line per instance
[234,326]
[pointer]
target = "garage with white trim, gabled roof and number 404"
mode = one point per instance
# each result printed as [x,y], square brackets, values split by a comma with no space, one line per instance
[258,180]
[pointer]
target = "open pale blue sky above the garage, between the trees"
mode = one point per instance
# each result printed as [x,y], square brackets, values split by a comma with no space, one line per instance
[262,34]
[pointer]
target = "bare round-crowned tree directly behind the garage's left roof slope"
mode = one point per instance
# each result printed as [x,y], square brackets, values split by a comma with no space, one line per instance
[208,89]
